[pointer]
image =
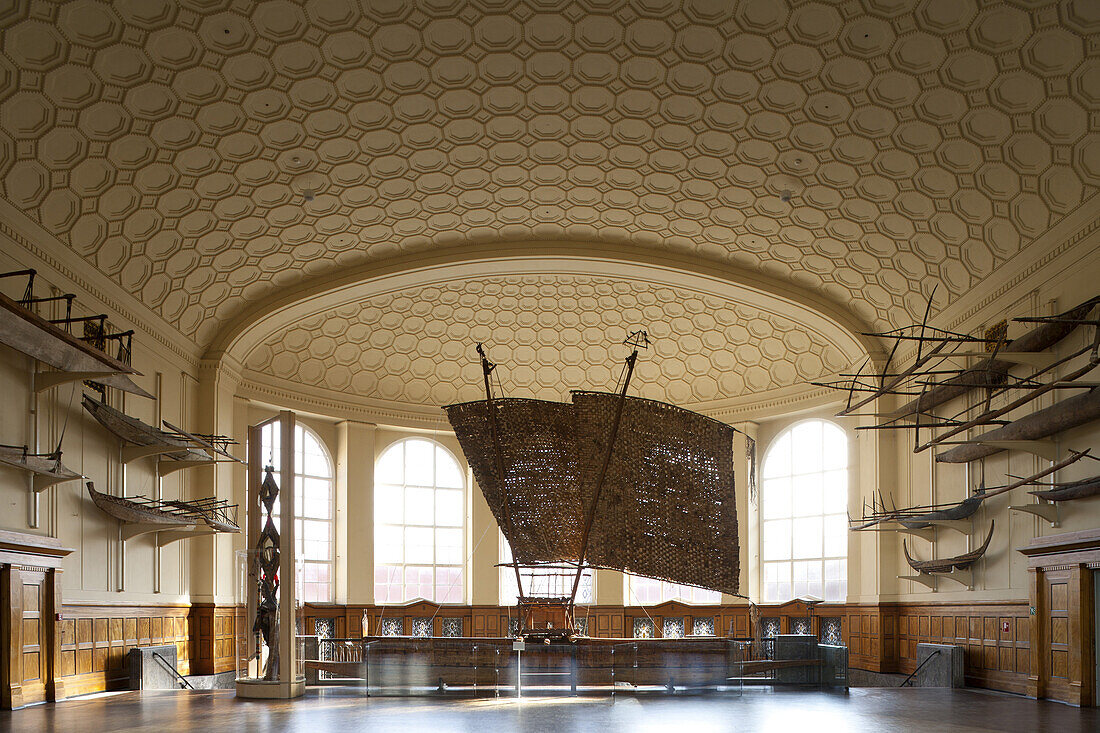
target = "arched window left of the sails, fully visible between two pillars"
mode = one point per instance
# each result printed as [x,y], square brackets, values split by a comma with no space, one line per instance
[420,516]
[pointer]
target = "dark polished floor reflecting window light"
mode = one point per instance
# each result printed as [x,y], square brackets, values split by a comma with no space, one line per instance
[866,710]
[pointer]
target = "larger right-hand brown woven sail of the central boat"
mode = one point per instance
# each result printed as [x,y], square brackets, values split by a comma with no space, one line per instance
[667,509]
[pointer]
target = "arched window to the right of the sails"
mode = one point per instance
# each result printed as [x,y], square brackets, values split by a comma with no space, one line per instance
[804,509]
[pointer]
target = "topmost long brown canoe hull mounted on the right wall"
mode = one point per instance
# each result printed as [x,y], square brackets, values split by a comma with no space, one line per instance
[992,371]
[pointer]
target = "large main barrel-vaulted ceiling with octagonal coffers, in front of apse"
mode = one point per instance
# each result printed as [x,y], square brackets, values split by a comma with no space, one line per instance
[206,154]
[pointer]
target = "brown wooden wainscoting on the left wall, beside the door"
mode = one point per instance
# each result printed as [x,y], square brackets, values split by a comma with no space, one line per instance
[95,641]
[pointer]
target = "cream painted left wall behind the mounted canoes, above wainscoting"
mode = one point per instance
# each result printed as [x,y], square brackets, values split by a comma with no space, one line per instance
[102,568]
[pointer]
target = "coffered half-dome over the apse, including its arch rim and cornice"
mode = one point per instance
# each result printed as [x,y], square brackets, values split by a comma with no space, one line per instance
[553,318]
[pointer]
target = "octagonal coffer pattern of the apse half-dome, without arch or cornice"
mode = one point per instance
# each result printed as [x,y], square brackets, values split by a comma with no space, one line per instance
[549,335]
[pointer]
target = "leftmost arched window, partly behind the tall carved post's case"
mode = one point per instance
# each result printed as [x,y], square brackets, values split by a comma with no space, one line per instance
[314,498]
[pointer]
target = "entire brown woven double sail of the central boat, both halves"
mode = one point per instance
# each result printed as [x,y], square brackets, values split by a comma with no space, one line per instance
[667,509]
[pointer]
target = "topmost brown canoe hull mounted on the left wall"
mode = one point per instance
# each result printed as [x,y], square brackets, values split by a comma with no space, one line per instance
[29,333]
